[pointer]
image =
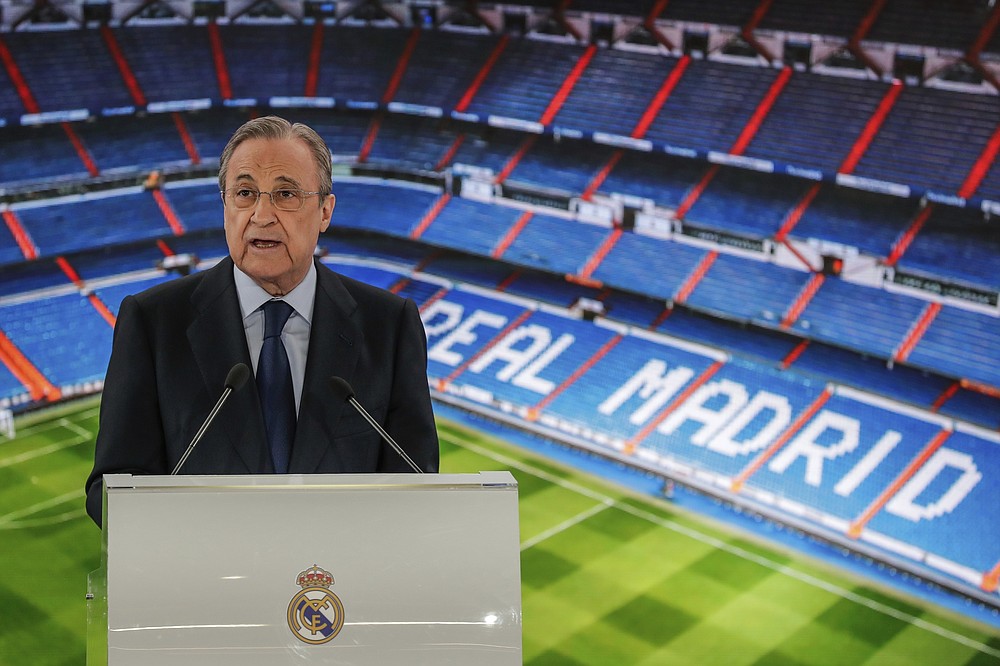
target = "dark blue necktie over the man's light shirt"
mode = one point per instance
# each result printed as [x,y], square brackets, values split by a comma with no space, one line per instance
[274,385]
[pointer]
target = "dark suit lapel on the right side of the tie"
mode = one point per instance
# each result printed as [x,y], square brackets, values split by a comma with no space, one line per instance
[334,344]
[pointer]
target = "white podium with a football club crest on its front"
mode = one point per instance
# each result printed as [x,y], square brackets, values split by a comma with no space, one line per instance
[308,569]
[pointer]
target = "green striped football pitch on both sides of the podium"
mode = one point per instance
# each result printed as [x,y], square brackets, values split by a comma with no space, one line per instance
[608,576]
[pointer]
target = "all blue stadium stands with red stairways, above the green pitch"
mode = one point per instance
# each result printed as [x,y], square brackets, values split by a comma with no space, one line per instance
[773,284]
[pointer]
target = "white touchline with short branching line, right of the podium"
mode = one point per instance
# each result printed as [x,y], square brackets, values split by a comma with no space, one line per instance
[803,577]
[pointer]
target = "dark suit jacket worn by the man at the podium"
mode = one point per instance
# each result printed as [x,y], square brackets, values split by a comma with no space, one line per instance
[175,343]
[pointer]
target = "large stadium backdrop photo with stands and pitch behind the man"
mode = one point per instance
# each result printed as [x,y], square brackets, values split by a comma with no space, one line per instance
[716,282]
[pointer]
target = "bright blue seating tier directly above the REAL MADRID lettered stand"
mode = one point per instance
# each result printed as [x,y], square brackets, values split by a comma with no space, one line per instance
[870,321]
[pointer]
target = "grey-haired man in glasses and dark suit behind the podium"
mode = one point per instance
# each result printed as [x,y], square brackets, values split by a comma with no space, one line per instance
[174,344]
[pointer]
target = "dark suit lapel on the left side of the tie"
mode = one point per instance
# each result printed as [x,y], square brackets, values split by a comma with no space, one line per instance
[218,342]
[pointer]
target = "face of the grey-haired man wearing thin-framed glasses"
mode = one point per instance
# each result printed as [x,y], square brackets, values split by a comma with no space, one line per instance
[274,247]
